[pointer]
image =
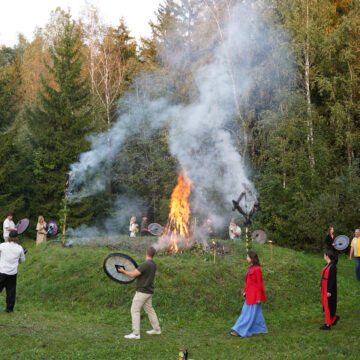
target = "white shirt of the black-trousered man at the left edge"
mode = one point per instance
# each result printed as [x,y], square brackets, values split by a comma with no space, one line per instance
[11,254]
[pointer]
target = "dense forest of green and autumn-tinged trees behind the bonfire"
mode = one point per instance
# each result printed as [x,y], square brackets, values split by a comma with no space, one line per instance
[299,124]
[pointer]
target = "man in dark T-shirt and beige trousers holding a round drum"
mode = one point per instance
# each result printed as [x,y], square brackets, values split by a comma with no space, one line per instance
[144,275]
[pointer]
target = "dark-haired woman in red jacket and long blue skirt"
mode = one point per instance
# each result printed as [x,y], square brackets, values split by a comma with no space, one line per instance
[251,320]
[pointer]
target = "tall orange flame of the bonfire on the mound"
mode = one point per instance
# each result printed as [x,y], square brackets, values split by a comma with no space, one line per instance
[178,224]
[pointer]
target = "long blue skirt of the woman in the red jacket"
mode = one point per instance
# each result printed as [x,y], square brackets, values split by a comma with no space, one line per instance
[251,321]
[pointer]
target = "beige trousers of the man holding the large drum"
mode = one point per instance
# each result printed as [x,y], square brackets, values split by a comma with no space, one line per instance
[143,300]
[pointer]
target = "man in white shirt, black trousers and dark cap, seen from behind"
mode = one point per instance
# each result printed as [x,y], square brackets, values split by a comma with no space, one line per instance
[11,254]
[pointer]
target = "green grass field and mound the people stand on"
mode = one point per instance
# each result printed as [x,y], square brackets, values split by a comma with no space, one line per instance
[68,309]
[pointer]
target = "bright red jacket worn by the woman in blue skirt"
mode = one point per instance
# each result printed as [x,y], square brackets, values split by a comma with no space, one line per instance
[254,288]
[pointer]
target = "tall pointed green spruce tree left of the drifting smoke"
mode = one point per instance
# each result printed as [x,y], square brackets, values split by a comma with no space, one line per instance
[60,123]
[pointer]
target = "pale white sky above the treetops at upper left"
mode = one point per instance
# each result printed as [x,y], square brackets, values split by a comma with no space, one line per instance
[23,16]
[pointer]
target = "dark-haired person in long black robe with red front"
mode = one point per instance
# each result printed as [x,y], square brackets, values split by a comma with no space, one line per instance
[328,290]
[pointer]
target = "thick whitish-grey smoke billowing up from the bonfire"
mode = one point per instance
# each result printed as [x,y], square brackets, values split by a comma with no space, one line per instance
[199,135]
